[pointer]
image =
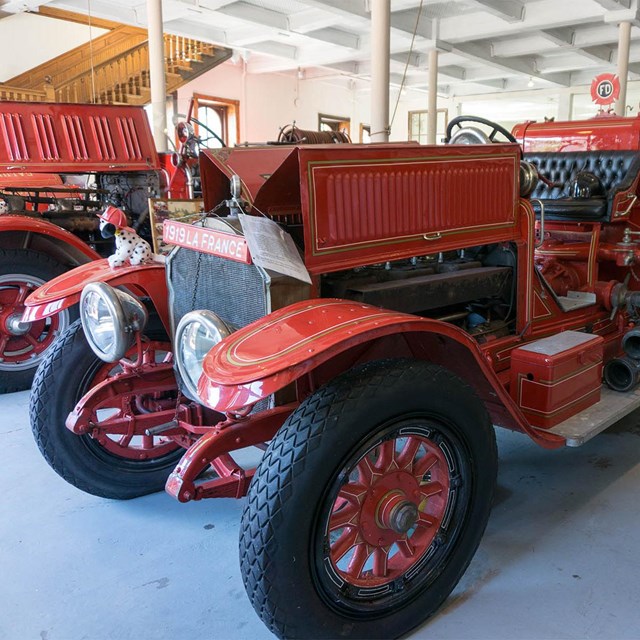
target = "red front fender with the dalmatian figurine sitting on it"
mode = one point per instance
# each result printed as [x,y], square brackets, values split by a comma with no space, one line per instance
[64,291]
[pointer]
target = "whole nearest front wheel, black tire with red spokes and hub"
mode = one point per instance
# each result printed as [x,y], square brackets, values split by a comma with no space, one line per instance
[369,503]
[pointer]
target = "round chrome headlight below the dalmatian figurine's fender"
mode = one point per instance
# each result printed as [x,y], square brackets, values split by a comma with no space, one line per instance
[110,319]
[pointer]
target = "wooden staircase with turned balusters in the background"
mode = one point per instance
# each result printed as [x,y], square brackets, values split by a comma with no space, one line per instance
[113,69]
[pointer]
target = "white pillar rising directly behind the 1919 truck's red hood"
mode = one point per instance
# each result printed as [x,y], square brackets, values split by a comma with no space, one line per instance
[380,22]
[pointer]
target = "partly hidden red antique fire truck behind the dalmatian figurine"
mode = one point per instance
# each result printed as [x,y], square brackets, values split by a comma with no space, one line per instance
[60,164]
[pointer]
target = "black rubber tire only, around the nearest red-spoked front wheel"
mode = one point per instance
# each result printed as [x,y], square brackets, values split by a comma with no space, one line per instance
[278,538]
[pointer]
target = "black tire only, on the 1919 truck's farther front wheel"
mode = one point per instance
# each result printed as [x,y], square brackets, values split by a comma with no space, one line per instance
[61,380]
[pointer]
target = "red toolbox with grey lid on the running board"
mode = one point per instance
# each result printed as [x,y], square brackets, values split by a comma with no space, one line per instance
[557,377]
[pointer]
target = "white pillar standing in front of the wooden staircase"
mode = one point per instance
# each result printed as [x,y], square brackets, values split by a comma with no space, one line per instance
[156,72]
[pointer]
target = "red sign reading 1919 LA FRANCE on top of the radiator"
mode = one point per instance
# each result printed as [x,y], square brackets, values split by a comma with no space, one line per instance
[217,243]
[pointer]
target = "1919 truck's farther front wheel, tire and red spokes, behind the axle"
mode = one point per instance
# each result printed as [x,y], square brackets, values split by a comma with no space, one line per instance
[112,466]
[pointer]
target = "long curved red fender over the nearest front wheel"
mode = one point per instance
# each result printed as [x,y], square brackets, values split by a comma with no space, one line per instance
[280,348]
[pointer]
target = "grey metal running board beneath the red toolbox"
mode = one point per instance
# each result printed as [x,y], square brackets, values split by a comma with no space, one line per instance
[613,406]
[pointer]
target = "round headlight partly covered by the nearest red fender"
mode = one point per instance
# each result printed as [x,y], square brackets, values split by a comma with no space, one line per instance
[197,333]
